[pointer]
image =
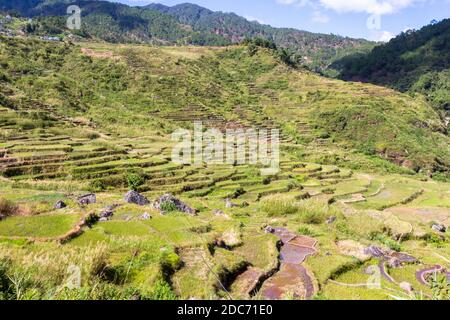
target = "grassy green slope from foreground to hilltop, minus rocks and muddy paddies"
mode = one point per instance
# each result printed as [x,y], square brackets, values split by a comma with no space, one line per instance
[75,120]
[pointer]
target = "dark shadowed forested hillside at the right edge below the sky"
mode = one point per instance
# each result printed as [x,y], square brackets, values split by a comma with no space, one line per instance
[415,61]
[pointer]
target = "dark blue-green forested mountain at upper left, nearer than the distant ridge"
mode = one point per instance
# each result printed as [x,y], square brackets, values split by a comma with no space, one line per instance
[114,22]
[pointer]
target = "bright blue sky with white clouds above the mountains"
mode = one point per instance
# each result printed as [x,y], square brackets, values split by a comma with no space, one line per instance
[371,19]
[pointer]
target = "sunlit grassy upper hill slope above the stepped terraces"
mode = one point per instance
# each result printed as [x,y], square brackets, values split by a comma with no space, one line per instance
[163,81]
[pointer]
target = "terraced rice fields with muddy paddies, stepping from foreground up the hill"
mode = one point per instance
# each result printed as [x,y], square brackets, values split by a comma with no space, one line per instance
[314,230]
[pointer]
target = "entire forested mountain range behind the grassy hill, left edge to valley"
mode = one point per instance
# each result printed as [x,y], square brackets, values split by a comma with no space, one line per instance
[190,24]
